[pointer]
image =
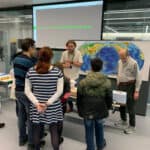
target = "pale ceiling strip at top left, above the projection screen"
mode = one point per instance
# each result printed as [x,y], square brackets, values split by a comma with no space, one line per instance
[17,3]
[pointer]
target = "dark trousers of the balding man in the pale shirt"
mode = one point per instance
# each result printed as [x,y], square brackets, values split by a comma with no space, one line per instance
[130,105]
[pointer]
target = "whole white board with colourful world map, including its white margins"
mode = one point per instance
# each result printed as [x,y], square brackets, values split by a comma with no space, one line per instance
[107,51]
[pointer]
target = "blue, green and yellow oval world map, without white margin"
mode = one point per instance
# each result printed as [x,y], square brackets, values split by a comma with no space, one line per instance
[108,53]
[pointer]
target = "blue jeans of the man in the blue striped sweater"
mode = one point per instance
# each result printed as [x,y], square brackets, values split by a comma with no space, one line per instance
[24,123]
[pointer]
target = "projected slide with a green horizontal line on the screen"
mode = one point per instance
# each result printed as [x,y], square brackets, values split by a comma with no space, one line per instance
[53,25]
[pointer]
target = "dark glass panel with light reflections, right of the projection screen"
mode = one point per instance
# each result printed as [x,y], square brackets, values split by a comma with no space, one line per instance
[126,16]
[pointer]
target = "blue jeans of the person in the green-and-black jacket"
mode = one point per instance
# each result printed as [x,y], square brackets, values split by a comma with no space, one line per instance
[90,126]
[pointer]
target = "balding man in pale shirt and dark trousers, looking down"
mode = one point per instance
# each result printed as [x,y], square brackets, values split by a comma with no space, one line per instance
[128,80]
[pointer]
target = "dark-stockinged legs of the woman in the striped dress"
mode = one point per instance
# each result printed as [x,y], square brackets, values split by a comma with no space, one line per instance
[55,131]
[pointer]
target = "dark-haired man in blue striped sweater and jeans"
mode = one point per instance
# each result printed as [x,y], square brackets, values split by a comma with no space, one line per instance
[21,65]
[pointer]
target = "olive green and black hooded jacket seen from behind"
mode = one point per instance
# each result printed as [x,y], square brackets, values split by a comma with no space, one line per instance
[94,96]
